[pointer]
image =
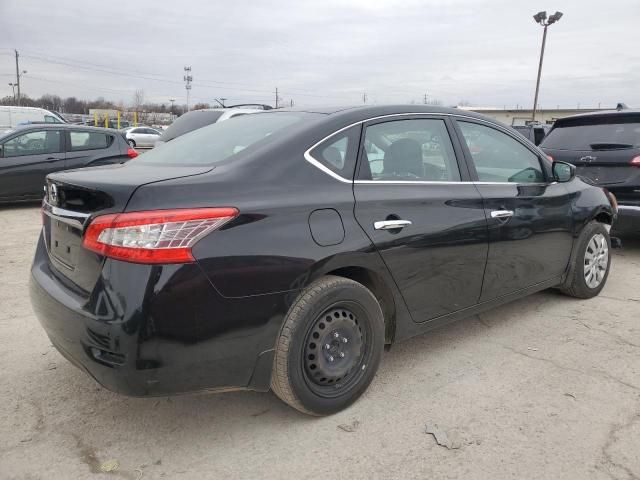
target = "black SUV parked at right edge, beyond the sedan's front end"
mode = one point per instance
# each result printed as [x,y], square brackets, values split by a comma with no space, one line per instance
[605,148]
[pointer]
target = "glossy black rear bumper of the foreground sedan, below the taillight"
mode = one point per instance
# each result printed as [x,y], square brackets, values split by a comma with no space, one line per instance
[158,330]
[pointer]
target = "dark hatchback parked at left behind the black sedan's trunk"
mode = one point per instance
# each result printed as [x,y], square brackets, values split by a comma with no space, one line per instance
[29,152]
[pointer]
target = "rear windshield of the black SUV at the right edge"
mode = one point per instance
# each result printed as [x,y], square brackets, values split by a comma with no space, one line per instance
[581,134]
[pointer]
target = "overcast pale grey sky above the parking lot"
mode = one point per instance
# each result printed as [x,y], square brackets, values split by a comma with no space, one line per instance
[327,52]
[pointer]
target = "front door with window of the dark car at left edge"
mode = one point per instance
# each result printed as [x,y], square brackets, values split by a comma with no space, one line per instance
[26,159]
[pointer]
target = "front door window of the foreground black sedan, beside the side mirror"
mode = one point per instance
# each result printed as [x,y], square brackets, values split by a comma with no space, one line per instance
[499,157]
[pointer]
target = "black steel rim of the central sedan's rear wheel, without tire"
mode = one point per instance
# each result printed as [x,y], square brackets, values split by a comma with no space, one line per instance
[333,347]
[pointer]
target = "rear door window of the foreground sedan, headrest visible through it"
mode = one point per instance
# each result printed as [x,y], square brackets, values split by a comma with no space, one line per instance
[409,150]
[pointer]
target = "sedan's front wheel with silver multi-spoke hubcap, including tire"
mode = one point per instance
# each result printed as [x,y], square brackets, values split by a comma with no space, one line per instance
[590,270]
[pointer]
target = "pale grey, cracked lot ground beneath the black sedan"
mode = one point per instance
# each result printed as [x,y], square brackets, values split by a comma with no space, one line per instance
[546,387]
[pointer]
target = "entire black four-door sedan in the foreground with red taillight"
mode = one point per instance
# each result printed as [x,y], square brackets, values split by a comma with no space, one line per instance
[284,250]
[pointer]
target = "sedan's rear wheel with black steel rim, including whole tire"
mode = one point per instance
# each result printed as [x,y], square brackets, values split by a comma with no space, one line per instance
[329,346]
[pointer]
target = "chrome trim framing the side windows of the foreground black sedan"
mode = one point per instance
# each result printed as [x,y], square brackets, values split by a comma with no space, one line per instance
[309,158]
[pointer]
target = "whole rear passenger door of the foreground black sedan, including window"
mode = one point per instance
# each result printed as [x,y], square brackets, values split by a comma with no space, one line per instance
[426,219]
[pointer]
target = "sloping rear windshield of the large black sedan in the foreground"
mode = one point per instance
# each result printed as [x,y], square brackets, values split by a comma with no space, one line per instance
[220,141]
